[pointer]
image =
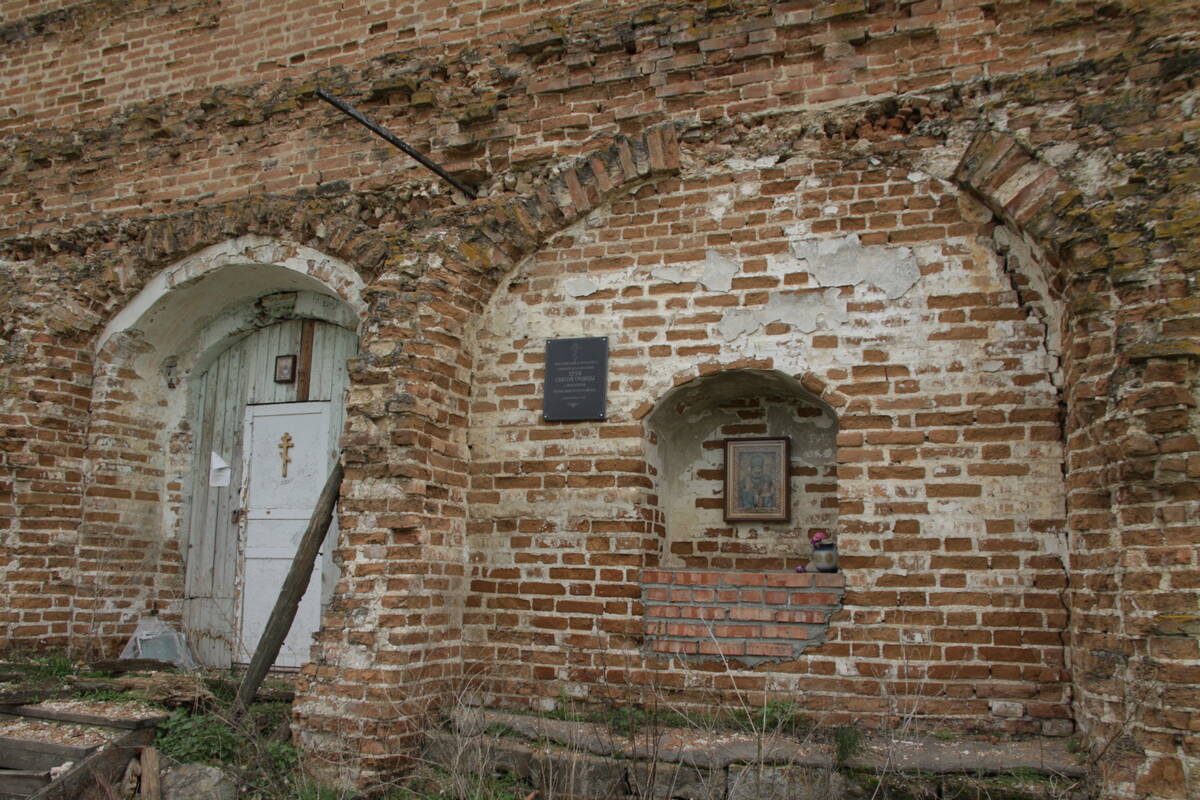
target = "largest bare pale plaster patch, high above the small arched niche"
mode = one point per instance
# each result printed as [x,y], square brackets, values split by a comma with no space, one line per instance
[845,262]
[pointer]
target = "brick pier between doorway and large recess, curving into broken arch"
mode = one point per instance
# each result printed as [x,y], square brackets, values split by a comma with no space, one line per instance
[406,643]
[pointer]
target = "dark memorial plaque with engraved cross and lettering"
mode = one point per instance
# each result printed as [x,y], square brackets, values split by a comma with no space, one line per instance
[577,380]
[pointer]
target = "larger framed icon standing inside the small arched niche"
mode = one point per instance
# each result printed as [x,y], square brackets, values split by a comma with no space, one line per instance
[757,480]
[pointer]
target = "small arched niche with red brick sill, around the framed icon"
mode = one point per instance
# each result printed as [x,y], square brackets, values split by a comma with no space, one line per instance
[728,592]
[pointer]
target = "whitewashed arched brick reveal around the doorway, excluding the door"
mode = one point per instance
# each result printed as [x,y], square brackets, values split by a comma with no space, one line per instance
[142,456]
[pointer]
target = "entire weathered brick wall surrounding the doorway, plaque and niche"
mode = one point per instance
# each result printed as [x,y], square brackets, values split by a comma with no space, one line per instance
[139,134]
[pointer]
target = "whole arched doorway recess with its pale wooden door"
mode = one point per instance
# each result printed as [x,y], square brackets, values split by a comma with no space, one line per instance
[188,377]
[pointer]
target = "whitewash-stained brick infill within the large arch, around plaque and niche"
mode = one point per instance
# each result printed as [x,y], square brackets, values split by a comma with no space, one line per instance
[951,518]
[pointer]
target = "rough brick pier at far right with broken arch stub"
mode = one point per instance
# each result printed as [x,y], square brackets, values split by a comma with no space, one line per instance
[1112,278]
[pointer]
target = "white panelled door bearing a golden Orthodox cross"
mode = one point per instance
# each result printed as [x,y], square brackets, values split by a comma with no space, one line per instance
[287,460]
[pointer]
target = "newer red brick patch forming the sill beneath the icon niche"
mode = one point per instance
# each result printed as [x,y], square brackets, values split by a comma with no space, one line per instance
[743,616]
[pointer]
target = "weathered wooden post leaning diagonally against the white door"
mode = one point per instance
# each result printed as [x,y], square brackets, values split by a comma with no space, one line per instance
[295,586]
